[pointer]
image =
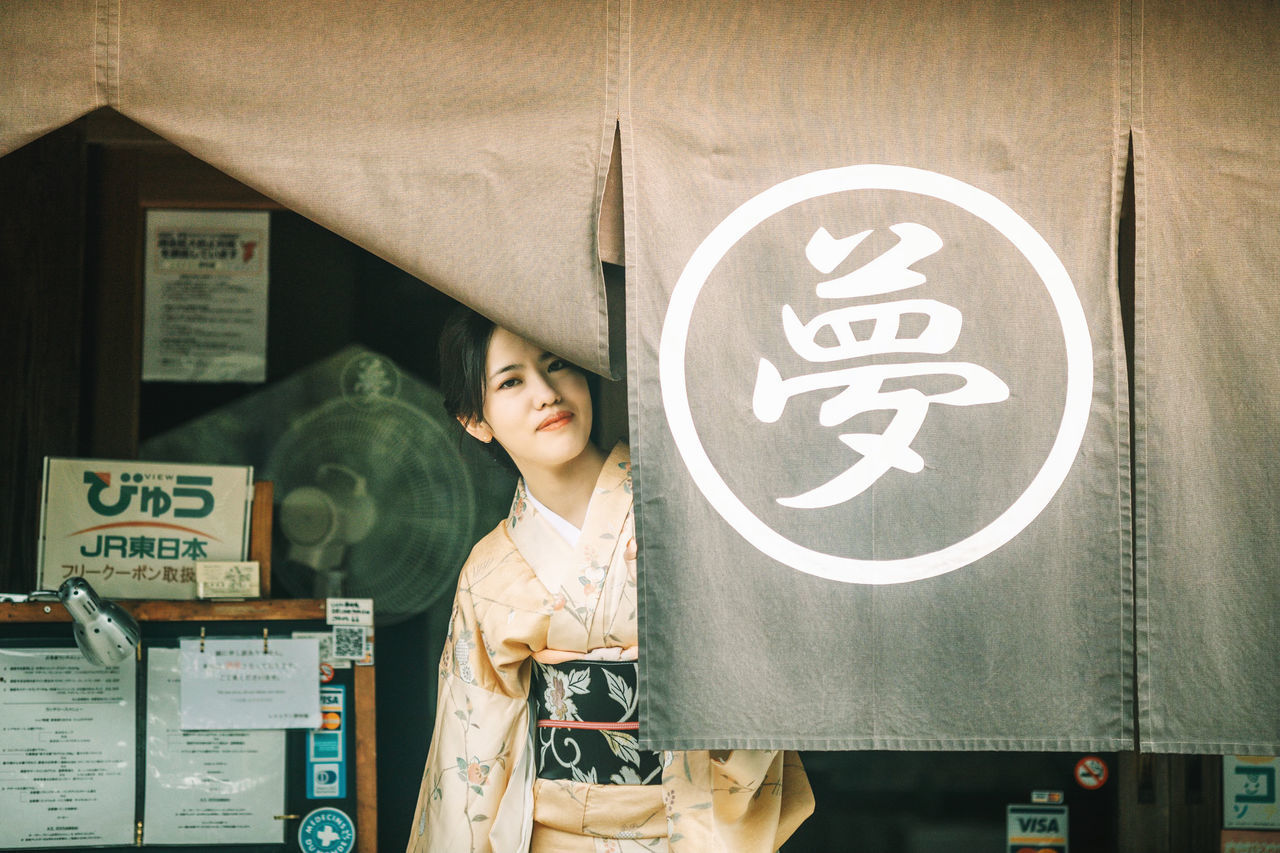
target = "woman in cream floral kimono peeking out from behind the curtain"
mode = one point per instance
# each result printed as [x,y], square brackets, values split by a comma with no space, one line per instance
[536,746]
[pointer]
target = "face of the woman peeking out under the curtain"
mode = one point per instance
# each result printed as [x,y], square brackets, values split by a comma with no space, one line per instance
[536,404]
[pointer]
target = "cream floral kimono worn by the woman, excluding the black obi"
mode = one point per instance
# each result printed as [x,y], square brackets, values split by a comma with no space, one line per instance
[527,596]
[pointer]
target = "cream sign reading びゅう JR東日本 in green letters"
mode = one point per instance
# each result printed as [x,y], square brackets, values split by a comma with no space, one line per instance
[138,530]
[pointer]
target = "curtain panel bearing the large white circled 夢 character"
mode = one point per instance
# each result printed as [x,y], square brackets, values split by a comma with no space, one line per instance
[877,378]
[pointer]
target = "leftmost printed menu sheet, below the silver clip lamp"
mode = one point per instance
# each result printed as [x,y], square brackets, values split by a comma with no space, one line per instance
[68,750]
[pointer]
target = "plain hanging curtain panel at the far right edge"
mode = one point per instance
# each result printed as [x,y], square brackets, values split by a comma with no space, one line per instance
[1208,308]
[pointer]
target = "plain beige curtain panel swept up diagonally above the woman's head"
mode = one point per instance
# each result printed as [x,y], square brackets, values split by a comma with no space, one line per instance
[467,142]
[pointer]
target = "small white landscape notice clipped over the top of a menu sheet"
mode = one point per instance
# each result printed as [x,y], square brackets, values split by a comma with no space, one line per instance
[240,685]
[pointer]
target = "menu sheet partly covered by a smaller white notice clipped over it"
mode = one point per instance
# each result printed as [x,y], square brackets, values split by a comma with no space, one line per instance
[207,784]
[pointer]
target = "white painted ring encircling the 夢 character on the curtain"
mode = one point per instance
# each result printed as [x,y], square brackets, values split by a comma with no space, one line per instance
[1017,231]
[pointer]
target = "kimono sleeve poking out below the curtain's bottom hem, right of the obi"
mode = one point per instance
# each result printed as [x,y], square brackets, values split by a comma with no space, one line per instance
[740,801]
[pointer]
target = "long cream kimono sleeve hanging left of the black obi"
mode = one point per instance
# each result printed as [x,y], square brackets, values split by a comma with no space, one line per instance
[478,784]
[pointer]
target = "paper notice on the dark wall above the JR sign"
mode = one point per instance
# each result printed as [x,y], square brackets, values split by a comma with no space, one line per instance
[207,281]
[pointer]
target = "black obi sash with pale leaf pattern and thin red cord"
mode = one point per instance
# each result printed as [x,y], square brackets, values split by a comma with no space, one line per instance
[587,719]
